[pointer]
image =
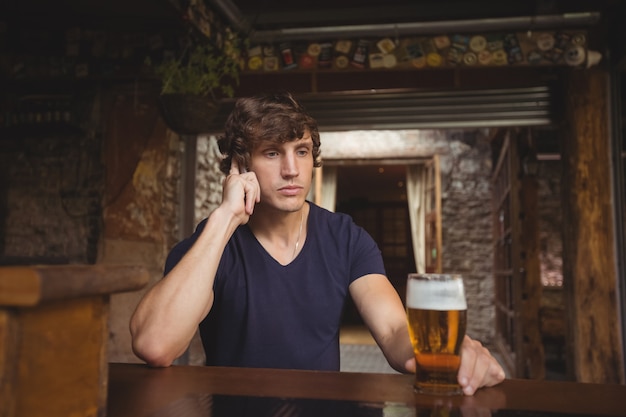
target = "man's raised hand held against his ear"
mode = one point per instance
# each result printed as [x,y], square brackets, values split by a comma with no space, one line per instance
[241,191]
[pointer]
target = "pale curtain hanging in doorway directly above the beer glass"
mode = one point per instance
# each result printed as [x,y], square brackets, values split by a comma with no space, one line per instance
[416,196]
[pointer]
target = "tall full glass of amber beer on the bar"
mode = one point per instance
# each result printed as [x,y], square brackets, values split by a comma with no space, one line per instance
[437,313]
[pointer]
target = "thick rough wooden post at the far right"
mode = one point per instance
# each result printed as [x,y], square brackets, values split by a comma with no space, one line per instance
[589,267]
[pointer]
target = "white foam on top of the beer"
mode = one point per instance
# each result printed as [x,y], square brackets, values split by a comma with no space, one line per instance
[435,295]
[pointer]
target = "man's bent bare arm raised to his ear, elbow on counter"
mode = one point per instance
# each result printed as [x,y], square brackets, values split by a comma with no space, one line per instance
[168,315]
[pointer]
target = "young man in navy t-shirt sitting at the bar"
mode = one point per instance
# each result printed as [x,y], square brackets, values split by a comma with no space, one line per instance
[266,275]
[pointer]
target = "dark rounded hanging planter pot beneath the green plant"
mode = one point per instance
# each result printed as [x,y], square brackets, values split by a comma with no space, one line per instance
[188,114]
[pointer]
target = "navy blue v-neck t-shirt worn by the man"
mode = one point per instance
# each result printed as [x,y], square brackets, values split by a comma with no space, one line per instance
[266,315]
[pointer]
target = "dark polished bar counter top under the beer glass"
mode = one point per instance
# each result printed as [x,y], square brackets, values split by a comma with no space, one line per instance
[195,391]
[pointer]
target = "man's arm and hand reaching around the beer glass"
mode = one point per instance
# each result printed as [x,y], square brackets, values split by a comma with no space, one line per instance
[385,316]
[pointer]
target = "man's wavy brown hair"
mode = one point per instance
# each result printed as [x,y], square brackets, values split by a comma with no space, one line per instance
[277,117]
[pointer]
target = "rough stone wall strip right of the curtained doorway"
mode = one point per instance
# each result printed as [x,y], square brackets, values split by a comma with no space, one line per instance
[467,225]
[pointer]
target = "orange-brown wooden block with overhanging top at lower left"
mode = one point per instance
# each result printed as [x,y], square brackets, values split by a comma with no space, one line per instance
[53,337]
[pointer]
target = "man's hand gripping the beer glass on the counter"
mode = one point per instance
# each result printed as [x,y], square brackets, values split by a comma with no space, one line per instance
[478,367]
